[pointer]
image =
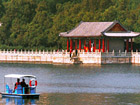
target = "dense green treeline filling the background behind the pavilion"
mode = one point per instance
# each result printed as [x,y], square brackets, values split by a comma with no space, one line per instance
[36,24]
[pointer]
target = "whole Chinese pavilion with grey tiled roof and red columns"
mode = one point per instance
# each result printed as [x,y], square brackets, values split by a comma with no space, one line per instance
[100,36]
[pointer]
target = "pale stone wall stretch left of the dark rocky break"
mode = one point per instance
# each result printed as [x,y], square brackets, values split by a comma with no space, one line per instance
[31,56]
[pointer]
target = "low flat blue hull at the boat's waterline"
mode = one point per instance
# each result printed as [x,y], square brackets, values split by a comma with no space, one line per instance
[5,95]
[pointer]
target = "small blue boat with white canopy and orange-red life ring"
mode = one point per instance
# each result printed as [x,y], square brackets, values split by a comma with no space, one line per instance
[20,92]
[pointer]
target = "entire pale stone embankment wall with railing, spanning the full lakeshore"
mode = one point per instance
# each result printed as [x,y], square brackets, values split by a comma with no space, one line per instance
[65,58]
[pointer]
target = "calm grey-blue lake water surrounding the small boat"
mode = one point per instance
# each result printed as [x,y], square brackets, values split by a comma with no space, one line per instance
[79,84]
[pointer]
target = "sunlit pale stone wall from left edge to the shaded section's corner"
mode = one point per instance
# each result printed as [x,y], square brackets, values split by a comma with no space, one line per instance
[49,57]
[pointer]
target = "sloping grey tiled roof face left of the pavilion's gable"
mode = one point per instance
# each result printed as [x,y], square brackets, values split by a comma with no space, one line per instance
[86,29]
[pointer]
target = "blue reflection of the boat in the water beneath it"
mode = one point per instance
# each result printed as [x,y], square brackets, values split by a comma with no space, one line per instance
[19,101]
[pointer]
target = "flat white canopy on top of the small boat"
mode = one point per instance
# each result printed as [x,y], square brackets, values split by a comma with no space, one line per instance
[19,76]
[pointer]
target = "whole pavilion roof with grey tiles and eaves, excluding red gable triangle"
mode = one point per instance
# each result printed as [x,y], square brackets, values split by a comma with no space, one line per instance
[96,29]
